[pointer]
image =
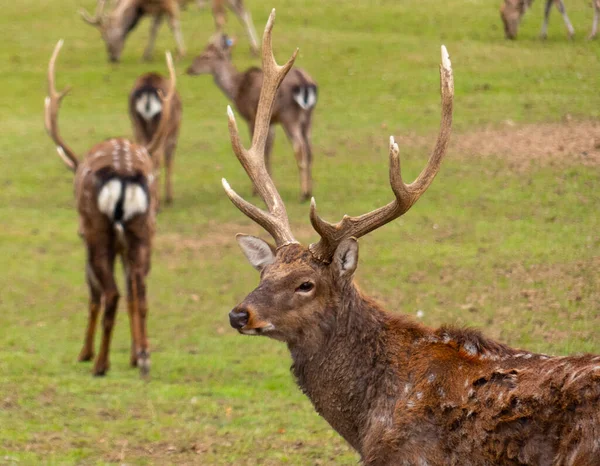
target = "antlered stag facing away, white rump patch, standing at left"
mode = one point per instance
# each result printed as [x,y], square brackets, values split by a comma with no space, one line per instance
[116,200]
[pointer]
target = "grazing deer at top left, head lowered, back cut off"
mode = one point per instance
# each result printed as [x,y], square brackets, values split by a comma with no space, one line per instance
[115,26]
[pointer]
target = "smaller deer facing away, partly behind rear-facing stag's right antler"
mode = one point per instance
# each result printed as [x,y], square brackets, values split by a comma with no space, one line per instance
[145,112]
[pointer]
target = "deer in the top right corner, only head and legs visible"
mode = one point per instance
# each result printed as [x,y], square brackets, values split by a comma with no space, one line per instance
[512,11]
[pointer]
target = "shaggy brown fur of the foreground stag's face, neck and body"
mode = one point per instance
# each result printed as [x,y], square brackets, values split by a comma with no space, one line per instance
[404,394]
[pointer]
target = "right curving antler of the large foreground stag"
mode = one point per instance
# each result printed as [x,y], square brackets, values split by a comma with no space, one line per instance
[406,195]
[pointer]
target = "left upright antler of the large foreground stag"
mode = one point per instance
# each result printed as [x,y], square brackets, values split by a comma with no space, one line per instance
[275,221]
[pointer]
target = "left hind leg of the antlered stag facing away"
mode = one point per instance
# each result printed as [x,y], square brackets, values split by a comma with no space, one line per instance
[103,268]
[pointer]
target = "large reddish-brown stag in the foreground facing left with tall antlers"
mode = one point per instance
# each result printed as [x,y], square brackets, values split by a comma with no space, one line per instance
[399,392]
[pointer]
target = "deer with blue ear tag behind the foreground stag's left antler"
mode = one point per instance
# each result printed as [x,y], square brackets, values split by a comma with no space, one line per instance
[293,105]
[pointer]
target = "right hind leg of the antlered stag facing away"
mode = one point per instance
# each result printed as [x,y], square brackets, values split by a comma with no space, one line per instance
[137,270]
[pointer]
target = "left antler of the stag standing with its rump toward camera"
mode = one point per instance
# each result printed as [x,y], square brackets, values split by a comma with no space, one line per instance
[52,106]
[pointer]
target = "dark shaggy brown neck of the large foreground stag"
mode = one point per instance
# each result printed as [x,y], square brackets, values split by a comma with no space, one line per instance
[346,370]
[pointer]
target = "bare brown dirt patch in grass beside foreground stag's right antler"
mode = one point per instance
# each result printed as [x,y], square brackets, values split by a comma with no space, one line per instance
[555,144]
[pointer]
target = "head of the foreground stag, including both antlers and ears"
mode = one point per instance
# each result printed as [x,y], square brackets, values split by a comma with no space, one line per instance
[299,285]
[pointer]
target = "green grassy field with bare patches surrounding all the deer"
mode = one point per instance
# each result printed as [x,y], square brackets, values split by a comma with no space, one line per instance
[507,239]
